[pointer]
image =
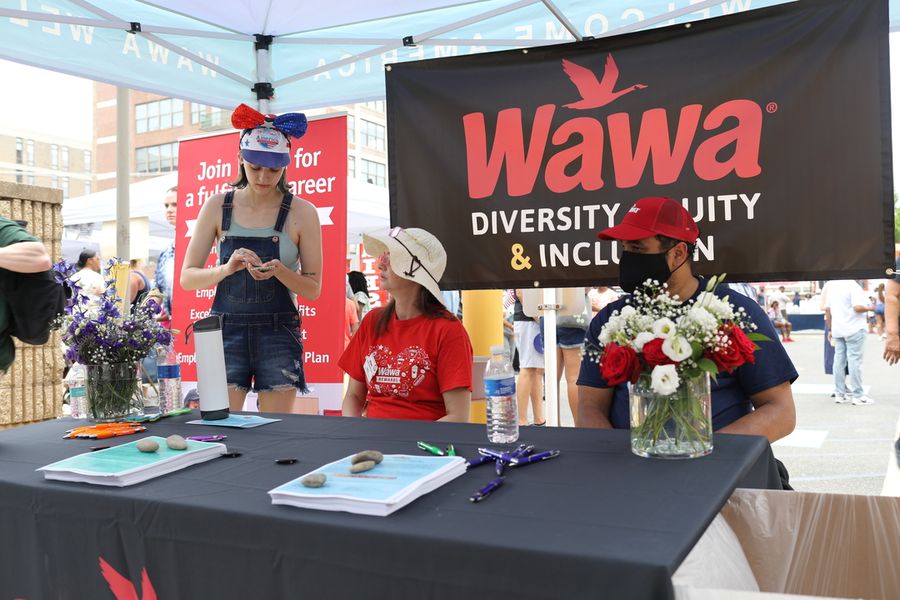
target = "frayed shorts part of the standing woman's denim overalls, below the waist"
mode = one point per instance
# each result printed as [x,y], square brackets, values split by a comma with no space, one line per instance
[263,352]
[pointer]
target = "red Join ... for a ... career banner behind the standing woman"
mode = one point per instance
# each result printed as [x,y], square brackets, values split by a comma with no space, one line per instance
[318,173]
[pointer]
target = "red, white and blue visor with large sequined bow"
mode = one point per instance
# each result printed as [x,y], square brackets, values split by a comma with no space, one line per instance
[265,139]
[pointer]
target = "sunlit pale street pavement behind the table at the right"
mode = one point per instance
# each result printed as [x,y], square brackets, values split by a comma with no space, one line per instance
[836,448]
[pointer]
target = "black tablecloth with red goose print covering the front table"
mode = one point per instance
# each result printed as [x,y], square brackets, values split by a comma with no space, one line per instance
[597,522]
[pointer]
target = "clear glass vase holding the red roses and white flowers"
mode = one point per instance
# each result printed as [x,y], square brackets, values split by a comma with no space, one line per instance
[678,425]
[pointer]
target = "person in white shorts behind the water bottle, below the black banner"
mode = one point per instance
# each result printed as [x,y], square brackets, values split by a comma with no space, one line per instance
[529,387]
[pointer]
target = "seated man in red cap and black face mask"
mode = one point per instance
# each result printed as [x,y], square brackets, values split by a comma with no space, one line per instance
[657,237]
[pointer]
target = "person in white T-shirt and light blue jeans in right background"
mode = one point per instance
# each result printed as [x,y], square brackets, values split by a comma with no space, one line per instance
[845,314]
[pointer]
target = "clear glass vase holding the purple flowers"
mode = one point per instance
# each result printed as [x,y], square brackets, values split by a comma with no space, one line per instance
[113,391]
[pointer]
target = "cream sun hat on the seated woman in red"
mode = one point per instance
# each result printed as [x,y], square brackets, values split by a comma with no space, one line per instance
[416,255]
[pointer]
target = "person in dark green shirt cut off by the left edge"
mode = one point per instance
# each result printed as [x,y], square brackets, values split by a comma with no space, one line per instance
[20,252]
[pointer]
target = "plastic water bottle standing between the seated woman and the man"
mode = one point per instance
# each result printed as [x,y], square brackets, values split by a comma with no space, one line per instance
[500,390]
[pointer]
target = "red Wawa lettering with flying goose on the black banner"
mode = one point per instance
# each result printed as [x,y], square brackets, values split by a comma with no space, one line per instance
[694,142]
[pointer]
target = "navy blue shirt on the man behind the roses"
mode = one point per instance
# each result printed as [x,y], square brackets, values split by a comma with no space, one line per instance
[730,391]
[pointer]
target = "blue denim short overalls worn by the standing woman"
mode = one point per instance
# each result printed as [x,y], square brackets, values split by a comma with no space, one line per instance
[261,327]
